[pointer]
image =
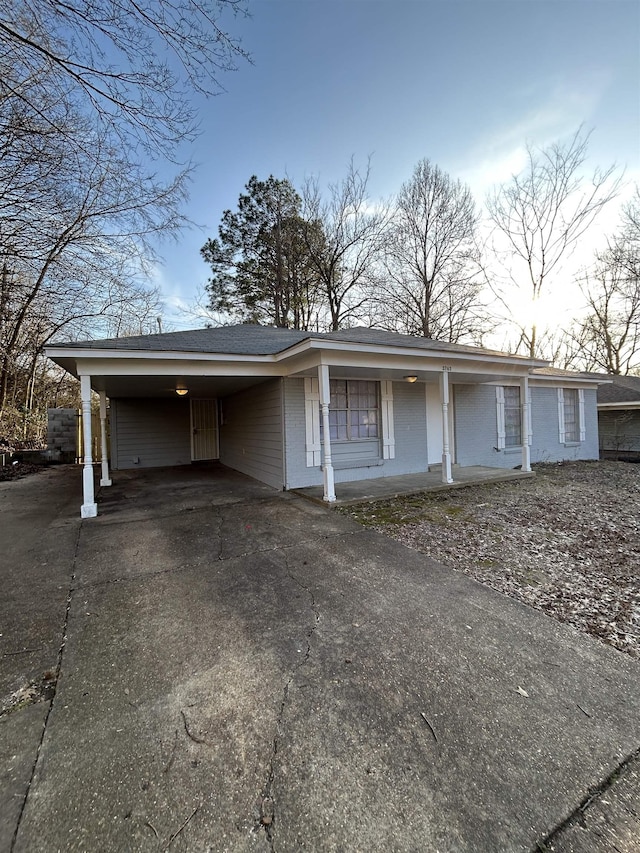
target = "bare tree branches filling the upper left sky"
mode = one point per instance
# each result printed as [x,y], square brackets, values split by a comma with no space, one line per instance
[87,92]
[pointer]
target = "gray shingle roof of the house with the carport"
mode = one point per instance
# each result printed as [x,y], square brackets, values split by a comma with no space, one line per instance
[246,339]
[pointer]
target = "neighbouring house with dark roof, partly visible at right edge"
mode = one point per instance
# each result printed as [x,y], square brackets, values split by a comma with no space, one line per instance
[619,417]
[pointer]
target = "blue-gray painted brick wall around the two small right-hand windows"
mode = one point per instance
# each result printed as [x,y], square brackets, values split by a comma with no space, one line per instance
[476,428]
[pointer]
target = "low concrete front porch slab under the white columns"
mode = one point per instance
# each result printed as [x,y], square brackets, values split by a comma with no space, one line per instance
[406,484]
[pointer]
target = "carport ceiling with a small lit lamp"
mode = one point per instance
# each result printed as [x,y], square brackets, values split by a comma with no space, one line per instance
[165,386]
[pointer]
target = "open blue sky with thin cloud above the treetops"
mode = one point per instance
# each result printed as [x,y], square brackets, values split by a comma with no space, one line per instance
[465,84]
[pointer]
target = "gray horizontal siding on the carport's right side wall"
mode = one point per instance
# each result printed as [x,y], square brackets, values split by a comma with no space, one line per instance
[251,433]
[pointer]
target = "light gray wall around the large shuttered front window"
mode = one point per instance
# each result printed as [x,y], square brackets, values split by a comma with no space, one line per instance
[409,415]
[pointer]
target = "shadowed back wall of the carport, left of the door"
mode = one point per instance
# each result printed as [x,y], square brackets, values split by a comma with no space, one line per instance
[156,432]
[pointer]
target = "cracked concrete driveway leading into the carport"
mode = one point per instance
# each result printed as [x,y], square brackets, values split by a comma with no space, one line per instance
[211,665]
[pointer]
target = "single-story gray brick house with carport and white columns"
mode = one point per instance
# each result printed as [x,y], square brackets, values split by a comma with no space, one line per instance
[296,409]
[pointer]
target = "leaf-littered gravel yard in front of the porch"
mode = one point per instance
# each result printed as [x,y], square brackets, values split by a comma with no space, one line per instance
[566,541]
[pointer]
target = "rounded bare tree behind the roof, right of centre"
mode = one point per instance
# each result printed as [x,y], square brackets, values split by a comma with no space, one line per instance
[432,287]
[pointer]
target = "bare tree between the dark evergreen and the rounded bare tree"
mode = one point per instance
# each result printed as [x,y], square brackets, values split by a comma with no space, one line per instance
[347,254]
